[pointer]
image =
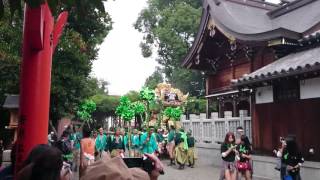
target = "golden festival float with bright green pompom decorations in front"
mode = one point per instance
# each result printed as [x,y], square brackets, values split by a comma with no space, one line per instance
[159,108]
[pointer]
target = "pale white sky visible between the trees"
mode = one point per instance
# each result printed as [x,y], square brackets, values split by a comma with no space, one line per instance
[120,61]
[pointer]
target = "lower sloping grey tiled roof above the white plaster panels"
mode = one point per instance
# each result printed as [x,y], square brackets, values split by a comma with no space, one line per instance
[295,63]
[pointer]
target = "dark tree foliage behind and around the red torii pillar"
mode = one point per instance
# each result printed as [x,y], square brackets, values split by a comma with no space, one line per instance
[88,24]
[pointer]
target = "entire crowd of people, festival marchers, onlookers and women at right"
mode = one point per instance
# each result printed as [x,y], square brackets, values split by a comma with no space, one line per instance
[99,155]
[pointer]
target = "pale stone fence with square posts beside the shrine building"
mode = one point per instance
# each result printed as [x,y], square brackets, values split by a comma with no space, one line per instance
[211,131]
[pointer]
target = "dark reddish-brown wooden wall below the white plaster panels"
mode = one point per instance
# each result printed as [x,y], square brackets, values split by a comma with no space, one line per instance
[300,118]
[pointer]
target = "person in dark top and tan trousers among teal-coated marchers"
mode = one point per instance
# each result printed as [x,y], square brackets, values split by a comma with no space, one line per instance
[116,147]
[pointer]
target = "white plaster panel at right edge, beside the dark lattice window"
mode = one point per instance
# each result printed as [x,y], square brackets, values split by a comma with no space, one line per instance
[310,88]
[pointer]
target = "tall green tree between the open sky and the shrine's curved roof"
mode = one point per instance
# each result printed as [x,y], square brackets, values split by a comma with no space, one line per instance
[171,26]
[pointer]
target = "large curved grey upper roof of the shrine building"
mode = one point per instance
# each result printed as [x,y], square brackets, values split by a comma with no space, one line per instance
[254,21]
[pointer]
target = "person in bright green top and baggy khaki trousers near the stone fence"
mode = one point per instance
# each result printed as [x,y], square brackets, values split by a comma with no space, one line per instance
[181,148]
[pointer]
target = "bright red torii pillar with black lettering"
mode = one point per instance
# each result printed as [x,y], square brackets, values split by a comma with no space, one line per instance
[40,37]
